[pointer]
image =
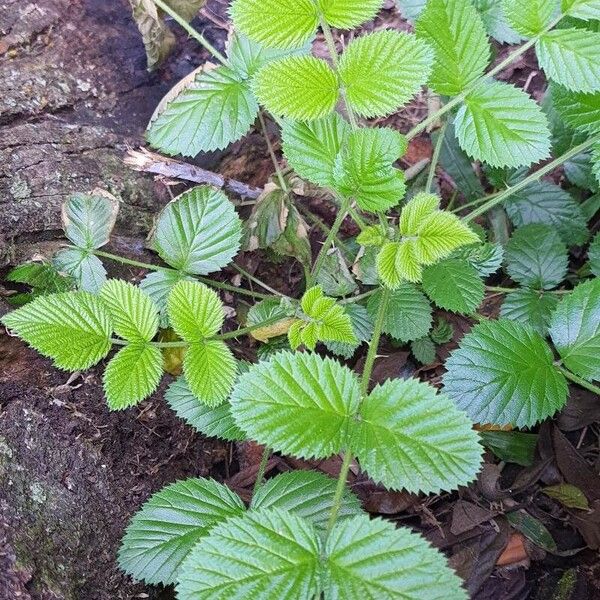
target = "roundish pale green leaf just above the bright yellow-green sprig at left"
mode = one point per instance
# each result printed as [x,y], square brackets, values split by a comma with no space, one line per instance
[198,232]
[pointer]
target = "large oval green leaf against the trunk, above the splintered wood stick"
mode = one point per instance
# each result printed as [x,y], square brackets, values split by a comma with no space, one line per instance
[217,108]
